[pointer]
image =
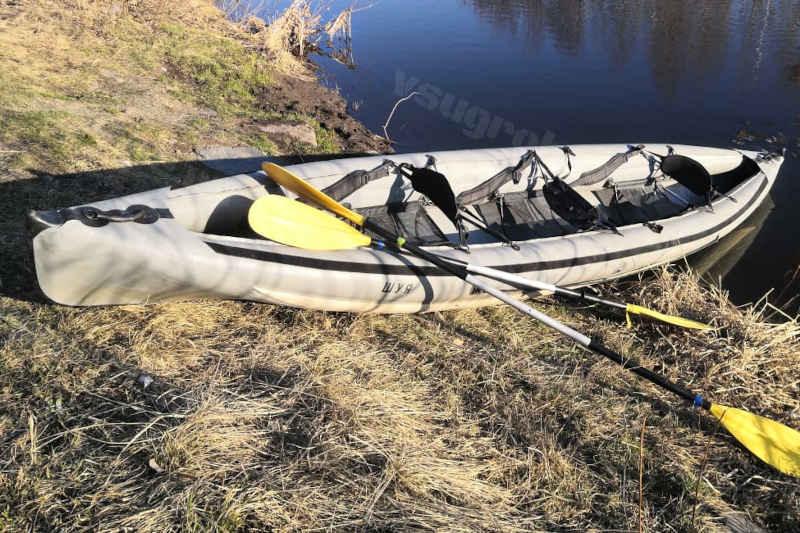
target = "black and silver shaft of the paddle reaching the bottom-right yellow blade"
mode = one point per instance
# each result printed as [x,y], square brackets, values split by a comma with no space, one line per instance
[463,271]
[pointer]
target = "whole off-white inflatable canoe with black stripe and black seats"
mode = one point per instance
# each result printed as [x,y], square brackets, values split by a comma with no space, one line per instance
[571,216]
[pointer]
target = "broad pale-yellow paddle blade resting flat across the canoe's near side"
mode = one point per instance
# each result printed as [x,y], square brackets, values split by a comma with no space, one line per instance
[283,220]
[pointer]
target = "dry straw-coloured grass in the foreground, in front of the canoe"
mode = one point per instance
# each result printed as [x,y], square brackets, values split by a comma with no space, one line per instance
[264,417]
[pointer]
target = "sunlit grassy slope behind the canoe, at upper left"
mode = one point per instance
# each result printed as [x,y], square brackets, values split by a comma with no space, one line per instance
[86,85]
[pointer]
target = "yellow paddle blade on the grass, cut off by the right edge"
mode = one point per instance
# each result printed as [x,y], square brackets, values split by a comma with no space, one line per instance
[773,443]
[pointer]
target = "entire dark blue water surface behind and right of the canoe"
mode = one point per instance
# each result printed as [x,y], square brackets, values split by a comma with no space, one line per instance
[498,73]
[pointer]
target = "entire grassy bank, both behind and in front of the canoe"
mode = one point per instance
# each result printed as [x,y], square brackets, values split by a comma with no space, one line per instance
[231,416]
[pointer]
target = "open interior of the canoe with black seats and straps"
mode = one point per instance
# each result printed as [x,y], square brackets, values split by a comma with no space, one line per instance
[560,207]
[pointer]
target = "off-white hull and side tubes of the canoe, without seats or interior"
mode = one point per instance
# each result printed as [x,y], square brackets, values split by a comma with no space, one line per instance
[181,255]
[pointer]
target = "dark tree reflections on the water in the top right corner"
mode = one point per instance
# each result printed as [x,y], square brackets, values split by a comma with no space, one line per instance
[682,39]
